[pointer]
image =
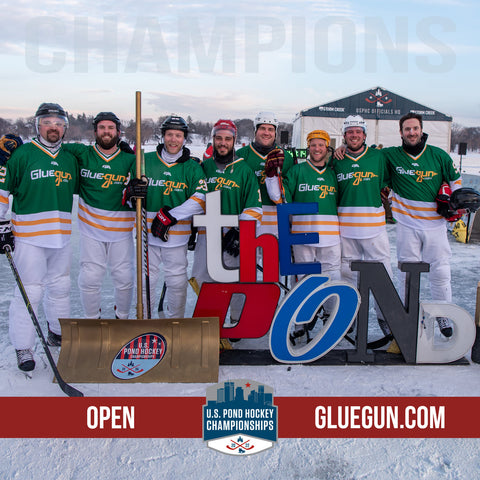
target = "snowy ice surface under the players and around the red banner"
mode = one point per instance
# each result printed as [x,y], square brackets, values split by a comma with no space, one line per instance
[290,458]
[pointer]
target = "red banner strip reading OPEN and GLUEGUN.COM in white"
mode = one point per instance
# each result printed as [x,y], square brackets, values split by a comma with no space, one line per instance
[181,417]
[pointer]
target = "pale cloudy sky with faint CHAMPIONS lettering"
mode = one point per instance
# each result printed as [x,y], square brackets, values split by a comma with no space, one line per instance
[233,59]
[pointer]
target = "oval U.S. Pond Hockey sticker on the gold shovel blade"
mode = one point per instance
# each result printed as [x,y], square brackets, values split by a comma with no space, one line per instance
[139,355]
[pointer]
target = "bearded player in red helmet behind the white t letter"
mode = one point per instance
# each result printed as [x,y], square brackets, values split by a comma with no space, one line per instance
[240,195]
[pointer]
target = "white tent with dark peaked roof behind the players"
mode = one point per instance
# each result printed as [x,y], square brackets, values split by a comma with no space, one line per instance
[381,109]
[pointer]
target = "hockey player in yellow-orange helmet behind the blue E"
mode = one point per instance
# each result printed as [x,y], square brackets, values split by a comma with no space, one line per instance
[313,181]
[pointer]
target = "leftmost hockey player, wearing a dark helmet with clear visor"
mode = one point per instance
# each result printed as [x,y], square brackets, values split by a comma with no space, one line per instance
[42,177]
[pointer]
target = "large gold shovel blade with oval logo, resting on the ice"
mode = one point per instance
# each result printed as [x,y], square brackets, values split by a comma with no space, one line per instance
[146,351]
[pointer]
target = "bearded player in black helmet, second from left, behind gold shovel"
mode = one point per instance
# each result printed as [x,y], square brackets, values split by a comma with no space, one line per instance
[106,238]
